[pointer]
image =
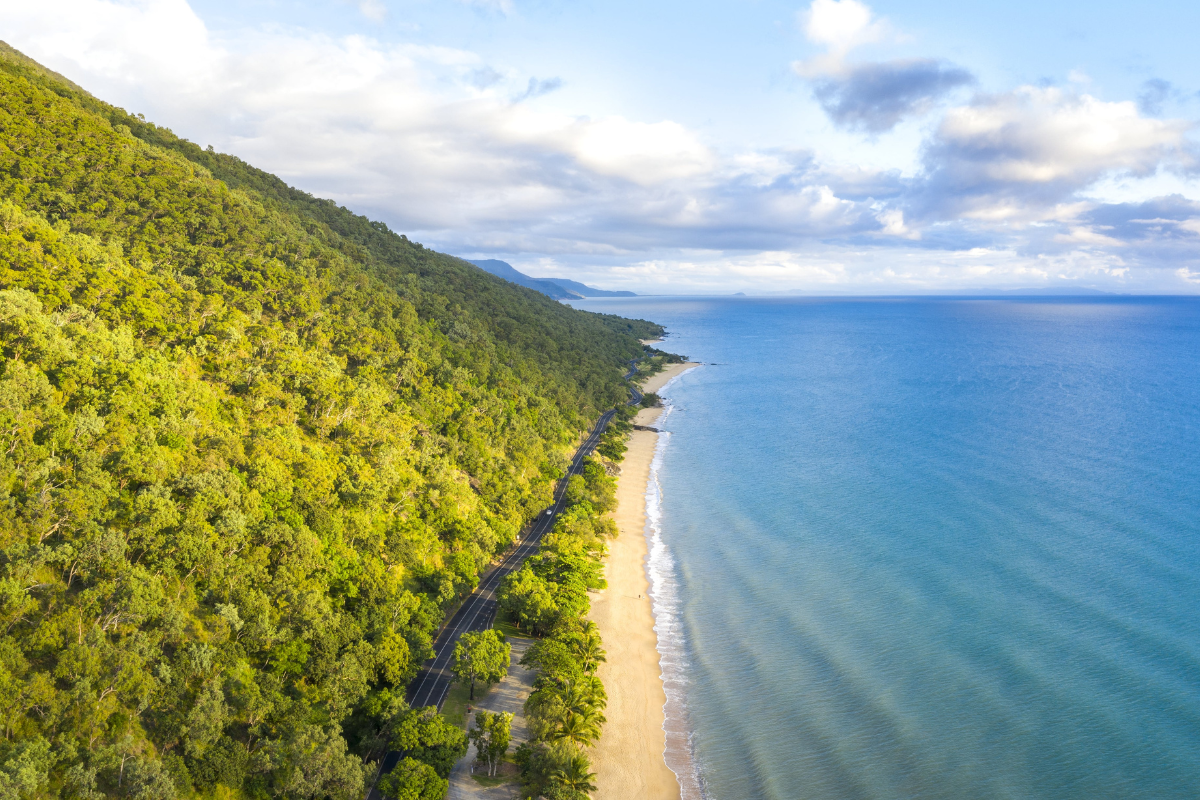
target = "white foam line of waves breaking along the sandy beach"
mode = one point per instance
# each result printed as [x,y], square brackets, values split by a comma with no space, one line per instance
[673,648]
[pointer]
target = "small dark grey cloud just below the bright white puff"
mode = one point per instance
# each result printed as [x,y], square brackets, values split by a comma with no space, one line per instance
[874,98]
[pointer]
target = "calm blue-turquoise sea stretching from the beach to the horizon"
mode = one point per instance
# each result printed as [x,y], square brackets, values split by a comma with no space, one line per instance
[931,548]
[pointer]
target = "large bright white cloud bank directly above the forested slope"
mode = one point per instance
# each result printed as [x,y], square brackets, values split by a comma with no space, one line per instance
[427,137]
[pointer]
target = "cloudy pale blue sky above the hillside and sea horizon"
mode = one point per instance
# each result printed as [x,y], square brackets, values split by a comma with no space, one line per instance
[831,147]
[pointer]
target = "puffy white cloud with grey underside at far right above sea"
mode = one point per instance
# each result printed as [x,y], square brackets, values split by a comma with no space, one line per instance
[1018,157]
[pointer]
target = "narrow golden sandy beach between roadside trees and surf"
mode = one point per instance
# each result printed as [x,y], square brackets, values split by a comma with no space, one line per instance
[628,760]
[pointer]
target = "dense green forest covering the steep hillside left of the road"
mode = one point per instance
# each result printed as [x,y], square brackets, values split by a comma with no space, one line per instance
[253,447]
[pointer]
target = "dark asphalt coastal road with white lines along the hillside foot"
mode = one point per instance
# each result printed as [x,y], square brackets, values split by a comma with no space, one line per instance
[433,684]
